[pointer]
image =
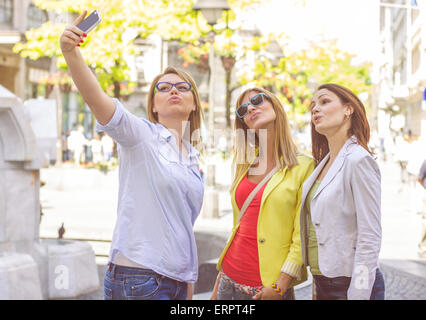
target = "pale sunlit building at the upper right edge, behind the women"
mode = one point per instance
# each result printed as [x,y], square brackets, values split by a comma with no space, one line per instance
[403,66]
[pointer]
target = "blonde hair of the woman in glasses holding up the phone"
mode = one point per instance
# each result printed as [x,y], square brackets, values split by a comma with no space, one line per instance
[195,116]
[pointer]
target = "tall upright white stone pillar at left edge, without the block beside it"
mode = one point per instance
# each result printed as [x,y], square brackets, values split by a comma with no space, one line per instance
[19,203]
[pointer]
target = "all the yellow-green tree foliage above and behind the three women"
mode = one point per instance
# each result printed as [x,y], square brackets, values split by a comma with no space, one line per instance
[106,48]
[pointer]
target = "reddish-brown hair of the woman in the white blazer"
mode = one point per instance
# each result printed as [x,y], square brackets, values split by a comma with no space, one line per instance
[359,126]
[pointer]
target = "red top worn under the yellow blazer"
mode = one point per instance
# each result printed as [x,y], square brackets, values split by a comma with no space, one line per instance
[241,261]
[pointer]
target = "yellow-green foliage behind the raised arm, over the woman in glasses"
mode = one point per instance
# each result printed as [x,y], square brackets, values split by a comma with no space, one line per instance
[106,48]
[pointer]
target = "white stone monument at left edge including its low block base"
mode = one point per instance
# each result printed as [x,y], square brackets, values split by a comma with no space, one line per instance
[29,268]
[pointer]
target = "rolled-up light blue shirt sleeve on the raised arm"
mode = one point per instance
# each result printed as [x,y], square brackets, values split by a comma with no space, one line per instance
[125,128]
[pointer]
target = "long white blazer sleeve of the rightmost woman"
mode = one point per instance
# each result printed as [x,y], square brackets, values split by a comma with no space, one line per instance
[366,189]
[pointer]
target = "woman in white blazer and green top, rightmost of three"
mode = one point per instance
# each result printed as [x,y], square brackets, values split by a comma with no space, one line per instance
[340,209]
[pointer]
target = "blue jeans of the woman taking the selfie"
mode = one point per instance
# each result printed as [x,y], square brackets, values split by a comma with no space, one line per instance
[125,283]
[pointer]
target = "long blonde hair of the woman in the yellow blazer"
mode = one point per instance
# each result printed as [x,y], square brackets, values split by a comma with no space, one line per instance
[285,150]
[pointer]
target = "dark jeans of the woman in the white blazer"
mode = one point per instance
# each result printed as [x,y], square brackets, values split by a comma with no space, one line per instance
[337,288]
